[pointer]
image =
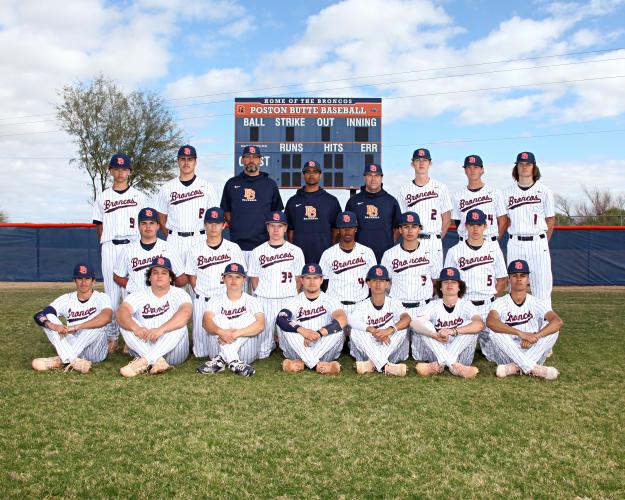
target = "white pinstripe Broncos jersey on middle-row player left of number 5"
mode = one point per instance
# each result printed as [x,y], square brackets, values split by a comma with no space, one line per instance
[411,272]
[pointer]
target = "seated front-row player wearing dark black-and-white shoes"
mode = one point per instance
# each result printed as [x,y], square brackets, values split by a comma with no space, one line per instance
[233,321]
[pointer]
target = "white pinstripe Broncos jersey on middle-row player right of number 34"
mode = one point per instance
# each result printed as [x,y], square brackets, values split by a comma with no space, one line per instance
[346,271]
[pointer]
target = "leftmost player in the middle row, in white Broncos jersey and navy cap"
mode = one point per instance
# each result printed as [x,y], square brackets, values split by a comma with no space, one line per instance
[137,256]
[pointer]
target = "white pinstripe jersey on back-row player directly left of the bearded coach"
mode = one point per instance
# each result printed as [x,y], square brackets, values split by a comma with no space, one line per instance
[185,205]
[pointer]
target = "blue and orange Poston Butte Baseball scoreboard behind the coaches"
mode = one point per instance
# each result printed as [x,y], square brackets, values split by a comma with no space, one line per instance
[342,133]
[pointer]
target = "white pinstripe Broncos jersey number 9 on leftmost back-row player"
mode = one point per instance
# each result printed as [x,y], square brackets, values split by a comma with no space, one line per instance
[118,212]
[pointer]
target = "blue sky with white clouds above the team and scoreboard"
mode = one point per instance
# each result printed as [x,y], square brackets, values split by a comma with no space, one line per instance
[442,51]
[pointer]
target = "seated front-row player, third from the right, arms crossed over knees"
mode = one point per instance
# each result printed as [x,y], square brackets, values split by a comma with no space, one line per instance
[379,329]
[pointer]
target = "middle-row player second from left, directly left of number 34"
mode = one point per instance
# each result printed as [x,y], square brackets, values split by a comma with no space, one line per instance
[206,262]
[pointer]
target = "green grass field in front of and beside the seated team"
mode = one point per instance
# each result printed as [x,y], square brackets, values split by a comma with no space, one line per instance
[305,435]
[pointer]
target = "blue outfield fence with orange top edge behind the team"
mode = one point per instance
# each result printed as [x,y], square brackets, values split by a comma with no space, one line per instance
[580,255]
